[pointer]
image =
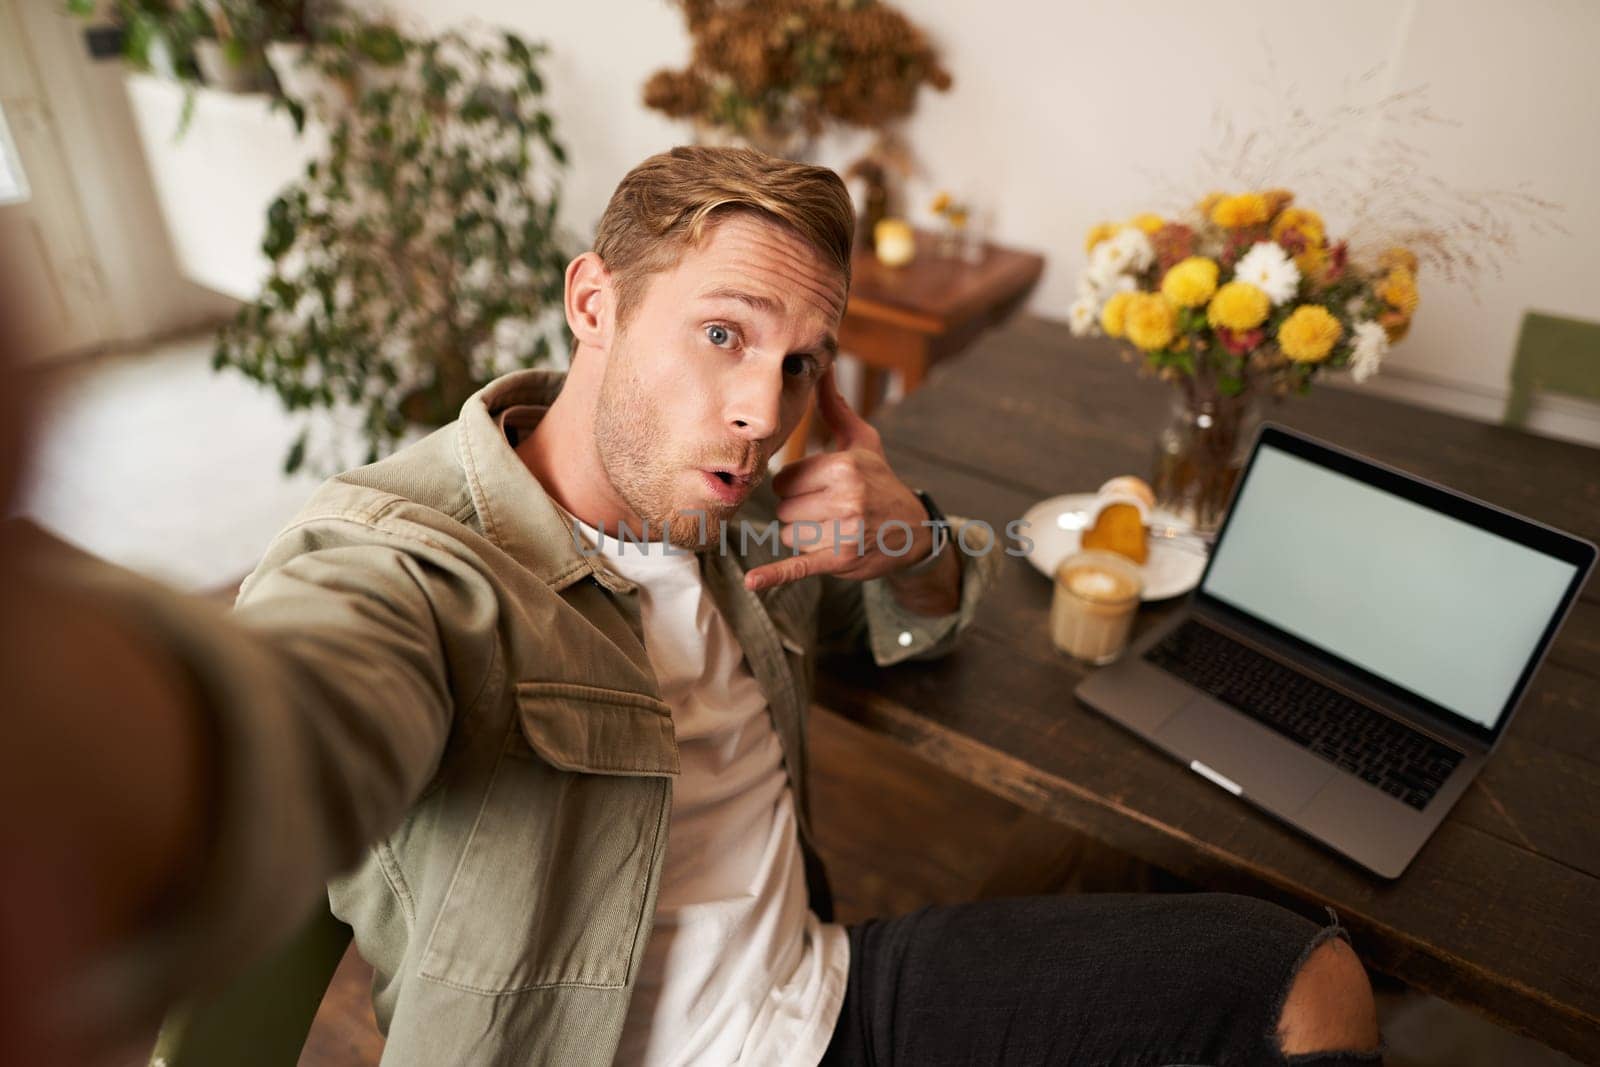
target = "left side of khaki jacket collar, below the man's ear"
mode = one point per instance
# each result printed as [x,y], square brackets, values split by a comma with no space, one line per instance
[518,513]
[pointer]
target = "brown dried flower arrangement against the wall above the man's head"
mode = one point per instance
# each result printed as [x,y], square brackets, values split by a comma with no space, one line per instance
[769,71]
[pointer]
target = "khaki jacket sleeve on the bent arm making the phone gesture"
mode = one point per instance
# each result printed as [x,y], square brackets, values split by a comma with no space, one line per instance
[855,612]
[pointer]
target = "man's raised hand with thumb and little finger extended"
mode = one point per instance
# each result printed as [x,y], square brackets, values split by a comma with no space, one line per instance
[847,514]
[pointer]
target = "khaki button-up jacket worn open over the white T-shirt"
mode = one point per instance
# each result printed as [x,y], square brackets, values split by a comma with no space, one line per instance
[436,685]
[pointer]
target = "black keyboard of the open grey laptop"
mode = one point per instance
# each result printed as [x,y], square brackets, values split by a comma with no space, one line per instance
[1380,751]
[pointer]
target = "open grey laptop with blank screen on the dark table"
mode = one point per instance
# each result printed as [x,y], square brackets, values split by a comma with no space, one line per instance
[1354,650]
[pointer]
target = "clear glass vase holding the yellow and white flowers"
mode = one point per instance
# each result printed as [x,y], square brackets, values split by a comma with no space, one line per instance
[1201,454]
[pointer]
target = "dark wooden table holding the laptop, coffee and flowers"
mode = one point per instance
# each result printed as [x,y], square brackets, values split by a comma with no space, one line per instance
[1500,911]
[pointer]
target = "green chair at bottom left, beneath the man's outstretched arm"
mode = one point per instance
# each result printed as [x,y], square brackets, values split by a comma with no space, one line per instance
[263,1017]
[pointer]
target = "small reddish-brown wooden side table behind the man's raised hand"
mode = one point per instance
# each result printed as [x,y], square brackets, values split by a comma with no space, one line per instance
[908,319]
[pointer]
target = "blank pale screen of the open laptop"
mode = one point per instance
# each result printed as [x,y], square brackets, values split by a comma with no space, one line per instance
[1428,602]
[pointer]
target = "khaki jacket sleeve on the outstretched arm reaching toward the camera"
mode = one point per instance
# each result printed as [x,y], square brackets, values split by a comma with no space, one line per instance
[329,695]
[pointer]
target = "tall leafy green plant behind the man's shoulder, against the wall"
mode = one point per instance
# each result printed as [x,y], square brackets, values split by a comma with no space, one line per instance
[420,257]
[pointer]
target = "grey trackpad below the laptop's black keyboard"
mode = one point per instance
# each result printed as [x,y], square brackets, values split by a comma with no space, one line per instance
[1274,772]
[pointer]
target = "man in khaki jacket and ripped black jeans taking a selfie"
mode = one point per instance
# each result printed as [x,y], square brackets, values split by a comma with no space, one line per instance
[543,681]
